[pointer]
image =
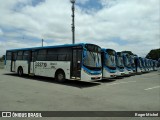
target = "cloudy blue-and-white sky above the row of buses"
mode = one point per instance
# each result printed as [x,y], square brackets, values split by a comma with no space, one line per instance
[132,25]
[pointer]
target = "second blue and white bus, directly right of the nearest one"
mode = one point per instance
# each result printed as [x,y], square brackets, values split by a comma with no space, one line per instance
[108,63]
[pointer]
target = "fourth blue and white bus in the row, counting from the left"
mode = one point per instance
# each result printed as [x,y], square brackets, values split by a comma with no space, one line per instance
[127,64]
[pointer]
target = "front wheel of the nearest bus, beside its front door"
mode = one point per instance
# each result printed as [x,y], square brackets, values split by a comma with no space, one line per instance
[60,76]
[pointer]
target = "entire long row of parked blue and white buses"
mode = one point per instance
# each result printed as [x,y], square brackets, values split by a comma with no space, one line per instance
[86,62]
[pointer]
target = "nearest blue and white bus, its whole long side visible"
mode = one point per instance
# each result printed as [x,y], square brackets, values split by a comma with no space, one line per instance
[74,62]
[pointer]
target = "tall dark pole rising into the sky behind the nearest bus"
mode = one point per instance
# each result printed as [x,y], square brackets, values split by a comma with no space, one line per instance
[73,24]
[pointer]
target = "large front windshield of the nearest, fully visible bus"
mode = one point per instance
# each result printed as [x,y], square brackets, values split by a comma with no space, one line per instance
[92,57]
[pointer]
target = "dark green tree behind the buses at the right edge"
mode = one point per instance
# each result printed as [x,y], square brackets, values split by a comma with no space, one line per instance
[154,54]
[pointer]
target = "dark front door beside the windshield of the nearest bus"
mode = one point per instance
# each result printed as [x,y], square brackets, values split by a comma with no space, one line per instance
[76,63]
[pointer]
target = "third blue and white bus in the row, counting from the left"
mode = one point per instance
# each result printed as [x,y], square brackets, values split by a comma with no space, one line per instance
[119,64]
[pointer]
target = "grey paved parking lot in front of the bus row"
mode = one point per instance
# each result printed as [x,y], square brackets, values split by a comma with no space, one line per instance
[135,93]
